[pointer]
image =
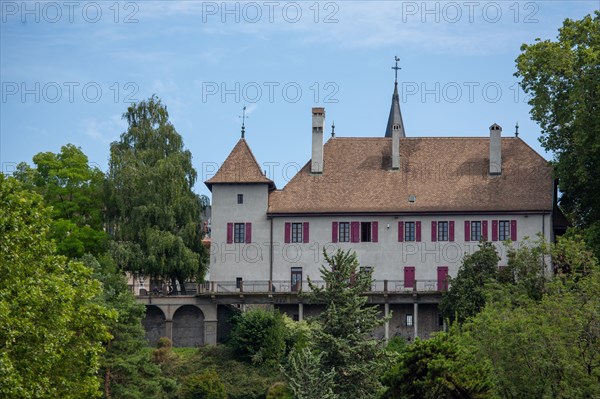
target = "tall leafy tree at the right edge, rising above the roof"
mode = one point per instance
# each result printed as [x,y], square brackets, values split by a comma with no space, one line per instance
[563,79]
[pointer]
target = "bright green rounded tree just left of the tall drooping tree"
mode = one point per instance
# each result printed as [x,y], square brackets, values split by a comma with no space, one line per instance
[74,190]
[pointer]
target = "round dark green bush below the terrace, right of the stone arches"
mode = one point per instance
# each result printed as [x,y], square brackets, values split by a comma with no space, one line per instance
[258,336]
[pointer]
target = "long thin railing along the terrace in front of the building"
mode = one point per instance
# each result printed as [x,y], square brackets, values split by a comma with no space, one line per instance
[286,286]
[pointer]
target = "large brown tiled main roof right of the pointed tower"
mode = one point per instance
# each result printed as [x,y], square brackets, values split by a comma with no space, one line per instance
[446,174]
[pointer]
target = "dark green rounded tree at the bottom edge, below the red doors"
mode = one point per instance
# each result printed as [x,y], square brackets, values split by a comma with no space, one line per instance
[441,367]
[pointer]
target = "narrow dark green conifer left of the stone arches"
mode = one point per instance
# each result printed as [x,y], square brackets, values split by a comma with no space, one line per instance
[125,367]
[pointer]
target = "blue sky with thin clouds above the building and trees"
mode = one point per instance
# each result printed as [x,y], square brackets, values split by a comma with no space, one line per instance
[69,70]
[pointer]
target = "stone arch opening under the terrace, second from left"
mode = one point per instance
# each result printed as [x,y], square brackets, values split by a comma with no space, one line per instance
[188,326]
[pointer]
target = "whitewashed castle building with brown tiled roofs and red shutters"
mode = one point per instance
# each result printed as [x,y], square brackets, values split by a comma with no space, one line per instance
[411,208]
